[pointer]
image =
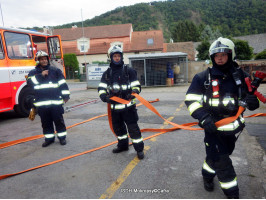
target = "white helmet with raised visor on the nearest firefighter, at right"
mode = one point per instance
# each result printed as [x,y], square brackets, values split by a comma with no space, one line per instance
[222,45]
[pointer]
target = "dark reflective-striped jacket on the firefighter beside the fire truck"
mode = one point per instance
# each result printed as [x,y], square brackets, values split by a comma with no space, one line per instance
[49,90]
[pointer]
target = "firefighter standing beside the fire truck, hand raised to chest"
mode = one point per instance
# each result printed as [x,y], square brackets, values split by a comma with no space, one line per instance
[51,92]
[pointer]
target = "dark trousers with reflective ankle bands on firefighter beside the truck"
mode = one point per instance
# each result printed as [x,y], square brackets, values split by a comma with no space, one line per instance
[50,116]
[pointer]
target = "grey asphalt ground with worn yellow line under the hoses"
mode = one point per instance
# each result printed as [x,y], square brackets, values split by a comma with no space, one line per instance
[171,168]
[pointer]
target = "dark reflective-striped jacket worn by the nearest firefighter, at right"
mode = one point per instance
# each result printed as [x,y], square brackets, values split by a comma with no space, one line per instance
[201,100]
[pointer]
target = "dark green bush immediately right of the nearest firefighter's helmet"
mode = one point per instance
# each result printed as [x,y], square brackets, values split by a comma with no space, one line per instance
[243,50]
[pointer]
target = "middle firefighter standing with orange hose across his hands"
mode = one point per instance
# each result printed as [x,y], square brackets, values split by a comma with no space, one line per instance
[121,81]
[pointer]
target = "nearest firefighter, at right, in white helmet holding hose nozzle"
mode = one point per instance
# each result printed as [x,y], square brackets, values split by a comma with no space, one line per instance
[215,94]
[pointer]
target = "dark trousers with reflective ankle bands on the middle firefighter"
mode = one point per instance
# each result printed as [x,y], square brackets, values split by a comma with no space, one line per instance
[124,120]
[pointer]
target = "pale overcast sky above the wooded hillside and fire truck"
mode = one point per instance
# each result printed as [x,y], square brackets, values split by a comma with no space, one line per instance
[30,13]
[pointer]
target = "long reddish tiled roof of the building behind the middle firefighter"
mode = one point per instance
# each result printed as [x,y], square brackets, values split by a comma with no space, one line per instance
[101,37]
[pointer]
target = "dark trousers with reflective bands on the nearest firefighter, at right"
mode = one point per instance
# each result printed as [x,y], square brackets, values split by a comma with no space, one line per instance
[218,162]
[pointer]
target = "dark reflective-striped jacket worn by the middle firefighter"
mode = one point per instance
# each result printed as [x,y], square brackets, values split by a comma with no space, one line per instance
[119,81]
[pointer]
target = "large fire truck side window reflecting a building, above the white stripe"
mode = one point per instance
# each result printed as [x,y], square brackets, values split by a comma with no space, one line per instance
[18,45]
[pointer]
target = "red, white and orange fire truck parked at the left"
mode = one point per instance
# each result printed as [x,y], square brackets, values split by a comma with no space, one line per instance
[17,57]
